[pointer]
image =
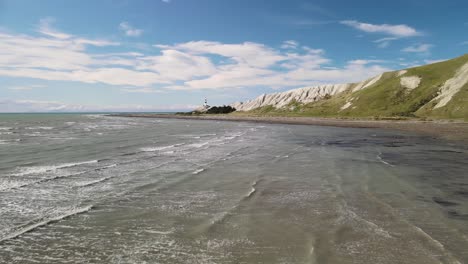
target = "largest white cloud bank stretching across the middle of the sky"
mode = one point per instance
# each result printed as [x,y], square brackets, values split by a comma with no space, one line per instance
[191,65]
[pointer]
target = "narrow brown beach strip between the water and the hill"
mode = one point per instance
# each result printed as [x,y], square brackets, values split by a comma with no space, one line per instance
[448,130]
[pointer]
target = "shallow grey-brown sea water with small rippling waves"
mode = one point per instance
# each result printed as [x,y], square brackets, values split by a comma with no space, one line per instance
[96,189]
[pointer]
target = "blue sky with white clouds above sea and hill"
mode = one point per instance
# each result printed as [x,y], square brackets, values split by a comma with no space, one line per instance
[169,55]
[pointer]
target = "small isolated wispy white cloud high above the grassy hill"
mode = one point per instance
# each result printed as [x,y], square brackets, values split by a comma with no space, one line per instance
[392,30]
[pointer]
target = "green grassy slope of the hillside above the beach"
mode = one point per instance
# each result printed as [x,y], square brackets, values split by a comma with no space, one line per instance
[387,98]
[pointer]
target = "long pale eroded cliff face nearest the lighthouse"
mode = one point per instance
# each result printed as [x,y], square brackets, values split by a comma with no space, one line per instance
[301,95]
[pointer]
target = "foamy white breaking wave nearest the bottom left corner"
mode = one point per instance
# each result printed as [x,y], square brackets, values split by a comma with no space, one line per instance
[20,230]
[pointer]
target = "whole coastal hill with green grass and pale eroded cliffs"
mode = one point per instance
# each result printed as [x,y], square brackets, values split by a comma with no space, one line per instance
[438,90]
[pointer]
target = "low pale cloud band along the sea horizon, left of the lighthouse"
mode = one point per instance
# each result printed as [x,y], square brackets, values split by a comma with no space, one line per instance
[18,106]
